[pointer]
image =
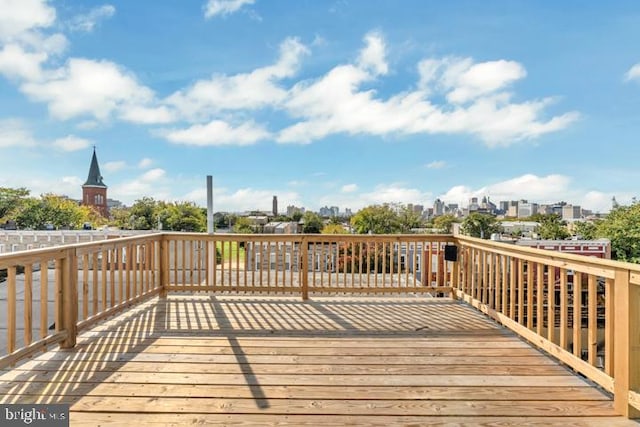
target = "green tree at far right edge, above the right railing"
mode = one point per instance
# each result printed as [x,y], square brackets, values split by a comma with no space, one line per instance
[622,228]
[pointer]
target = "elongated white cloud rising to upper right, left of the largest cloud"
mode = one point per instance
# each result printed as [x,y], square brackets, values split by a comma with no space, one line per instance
[253,90]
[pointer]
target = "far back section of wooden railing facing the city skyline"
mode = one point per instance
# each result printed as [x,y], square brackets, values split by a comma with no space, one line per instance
[303,264]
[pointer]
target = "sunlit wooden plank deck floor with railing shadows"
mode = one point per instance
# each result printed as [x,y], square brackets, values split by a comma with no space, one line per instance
[328,361]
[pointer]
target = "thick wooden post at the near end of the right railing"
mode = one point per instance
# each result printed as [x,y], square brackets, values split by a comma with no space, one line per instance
[626,345]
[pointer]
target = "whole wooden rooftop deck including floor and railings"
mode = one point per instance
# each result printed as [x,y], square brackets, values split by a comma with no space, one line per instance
[387,332]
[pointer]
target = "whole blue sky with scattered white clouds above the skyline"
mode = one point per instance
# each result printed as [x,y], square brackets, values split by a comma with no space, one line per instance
[347,102]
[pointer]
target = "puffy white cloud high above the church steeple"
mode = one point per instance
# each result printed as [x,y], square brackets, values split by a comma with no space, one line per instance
[87,87]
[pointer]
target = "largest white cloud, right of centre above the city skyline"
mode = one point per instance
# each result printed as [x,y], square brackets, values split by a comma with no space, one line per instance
[477,102]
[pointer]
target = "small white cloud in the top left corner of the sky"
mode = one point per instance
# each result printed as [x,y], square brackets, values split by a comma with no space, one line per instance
[19,16]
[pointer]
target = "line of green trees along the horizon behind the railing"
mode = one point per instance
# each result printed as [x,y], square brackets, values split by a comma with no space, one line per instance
[621,226]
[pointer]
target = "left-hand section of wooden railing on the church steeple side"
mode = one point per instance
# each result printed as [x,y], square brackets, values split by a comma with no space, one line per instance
[48,295]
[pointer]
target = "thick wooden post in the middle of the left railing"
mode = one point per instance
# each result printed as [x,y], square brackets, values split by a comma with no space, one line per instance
[69,298]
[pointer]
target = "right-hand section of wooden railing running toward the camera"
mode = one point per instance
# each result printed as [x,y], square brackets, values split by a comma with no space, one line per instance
[582,310]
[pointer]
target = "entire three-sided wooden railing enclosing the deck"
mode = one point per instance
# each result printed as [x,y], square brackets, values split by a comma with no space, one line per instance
[583,311]
